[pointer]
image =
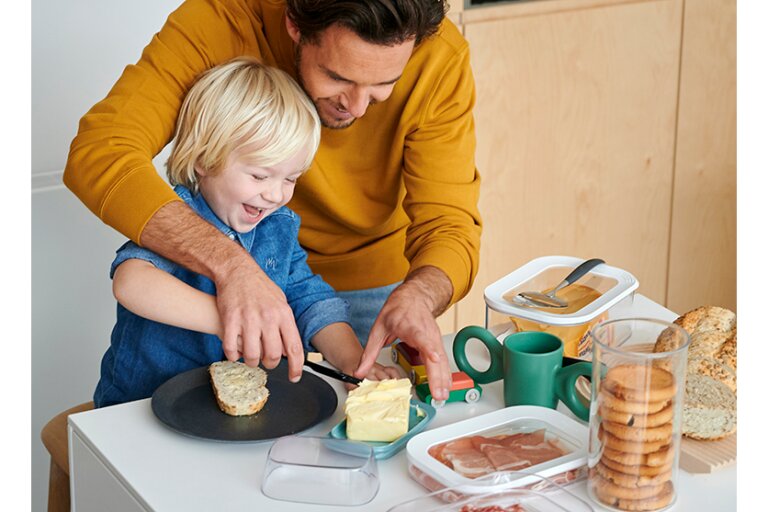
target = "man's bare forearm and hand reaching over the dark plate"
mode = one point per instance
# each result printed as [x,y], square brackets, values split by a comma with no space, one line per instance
[258,323]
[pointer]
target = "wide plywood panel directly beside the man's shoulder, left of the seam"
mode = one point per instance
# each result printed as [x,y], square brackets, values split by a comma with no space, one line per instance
[575,123]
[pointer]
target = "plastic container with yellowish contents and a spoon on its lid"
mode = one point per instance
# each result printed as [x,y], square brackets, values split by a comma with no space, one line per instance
[604,288]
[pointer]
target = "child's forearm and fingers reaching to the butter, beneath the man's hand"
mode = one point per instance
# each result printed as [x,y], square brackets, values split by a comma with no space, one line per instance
[339,346]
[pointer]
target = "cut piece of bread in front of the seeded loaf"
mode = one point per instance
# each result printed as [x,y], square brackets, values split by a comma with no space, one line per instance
[709,409]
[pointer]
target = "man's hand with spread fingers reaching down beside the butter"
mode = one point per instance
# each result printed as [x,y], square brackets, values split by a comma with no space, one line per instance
[409,314]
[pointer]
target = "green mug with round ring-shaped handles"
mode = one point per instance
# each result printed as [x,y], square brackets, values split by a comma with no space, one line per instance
[531,364]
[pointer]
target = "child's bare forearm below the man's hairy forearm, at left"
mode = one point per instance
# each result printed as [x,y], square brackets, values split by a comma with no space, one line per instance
[156,295]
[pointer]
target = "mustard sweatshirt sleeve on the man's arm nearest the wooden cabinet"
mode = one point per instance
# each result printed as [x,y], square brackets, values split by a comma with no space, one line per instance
[442,183]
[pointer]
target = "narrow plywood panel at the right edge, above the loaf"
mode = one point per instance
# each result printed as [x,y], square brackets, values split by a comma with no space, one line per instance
[703,246]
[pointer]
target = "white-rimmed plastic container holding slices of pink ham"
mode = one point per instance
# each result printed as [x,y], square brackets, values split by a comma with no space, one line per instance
[527,439]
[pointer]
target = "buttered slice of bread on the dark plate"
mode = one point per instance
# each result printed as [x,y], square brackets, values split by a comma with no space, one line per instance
[239,389]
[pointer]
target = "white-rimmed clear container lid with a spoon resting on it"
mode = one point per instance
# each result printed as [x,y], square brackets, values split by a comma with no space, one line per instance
[603,287]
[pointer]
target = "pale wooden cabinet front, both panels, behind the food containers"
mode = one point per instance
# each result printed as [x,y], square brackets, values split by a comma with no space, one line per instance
[583,148]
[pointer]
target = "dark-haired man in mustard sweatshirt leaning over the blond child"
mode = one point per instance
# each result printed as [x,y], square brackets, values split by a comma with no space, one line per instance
[389,207]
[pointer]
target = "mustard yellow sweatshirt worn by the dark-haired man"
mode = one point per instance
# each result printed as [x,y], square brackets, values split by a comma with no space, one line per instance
[396,191]
